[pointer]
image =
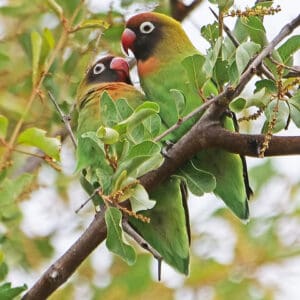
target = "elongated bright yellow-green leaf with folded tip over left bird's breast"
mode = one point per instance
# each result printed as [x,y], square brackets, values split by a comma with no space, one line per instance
[142,112]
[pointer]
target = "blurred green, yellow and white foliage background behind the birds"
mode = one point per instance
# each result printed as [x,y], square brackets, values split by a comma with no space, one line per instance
[231,260]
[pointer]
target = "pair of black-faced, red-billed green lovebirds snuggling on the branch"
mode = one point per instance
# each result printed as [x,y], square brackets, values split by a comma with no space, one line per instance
[162,51]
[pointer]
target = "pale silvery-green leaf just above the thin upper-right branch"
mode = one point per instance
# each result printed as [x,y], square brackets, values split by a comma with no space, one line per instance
[244,53]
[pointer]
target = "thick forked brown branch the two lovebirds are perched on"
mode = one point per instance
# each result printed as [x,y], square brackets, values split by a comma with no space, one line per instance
[206,133]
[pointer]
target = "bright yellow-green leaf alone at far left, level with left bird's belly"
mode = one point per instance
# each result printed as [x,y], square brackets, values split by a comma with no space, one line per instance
[36,137]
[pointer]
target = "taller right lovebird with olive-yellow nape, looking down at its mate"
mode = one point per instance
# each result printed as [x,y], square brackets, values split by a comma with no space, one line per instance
[163,53]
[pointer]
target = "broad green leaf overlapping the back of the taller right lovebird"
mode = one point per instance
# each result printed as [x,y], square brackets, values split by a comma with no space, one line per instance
[194,69]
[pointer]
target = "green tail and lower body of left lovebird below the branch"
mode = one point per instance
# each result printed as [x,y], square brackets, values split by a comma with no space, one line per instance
[168,230]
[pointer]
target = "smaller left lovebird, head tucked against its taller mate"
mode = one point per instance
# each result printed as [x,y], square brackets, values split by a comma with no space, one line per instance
[168,231]
